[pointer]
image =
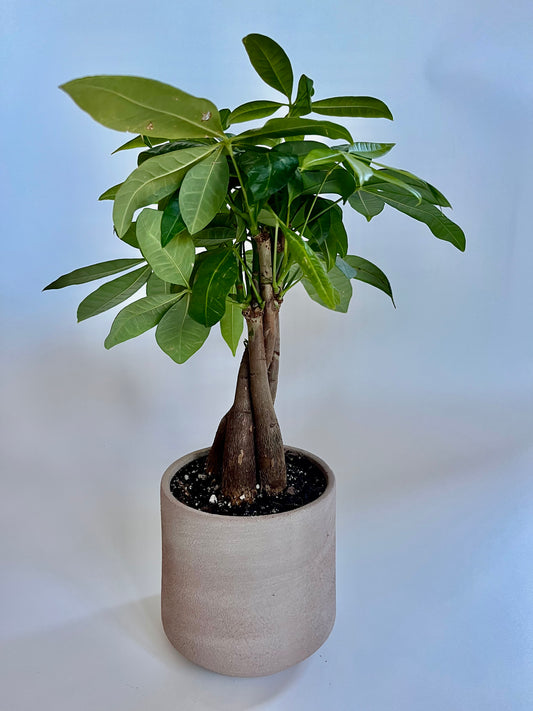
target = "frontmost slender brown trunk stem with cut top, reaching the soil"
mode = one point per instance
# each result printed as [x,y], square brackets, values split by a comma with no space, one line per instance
[270,456]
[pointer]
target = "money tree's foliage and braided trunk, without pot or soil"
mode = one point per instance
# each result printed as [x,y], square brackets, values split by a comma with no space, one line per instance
[230,221]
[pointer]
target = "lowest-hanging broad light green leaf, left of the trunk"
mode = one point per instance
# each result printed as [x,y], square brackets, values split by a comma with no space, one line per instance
[177,334]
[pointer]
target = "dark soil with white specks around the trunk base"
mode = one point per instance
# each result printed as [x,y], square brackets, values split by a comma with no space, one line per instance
[193,487]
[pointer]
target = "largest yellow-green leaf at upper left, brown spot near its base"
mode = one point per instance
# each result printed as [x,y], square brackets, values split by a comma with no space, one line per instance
[144,106]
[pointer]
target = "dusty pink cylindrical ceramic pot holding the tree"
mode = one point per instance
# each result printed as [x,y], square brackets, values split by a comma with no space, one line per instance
[248,596]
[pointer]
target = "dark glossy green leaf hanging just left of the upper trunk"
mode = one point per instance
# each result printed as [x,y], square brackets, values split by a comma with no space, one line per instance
[216,274]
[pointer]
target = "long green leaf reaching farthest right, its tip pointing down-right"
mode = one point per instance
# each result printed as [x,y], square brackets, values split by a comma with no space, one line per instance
[442,227]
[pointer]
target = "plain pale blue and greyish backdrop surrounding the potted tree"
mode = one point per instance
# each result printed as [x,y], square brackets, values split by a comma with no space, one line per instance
[424,412]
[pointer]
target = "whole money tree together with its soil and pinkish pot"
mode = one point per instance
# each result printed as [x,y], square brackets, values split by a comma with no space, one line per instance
[230,221]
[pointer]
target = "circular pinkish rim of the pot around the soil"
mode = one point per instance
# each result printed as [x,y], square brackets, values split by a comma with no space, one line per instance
[328,492]
